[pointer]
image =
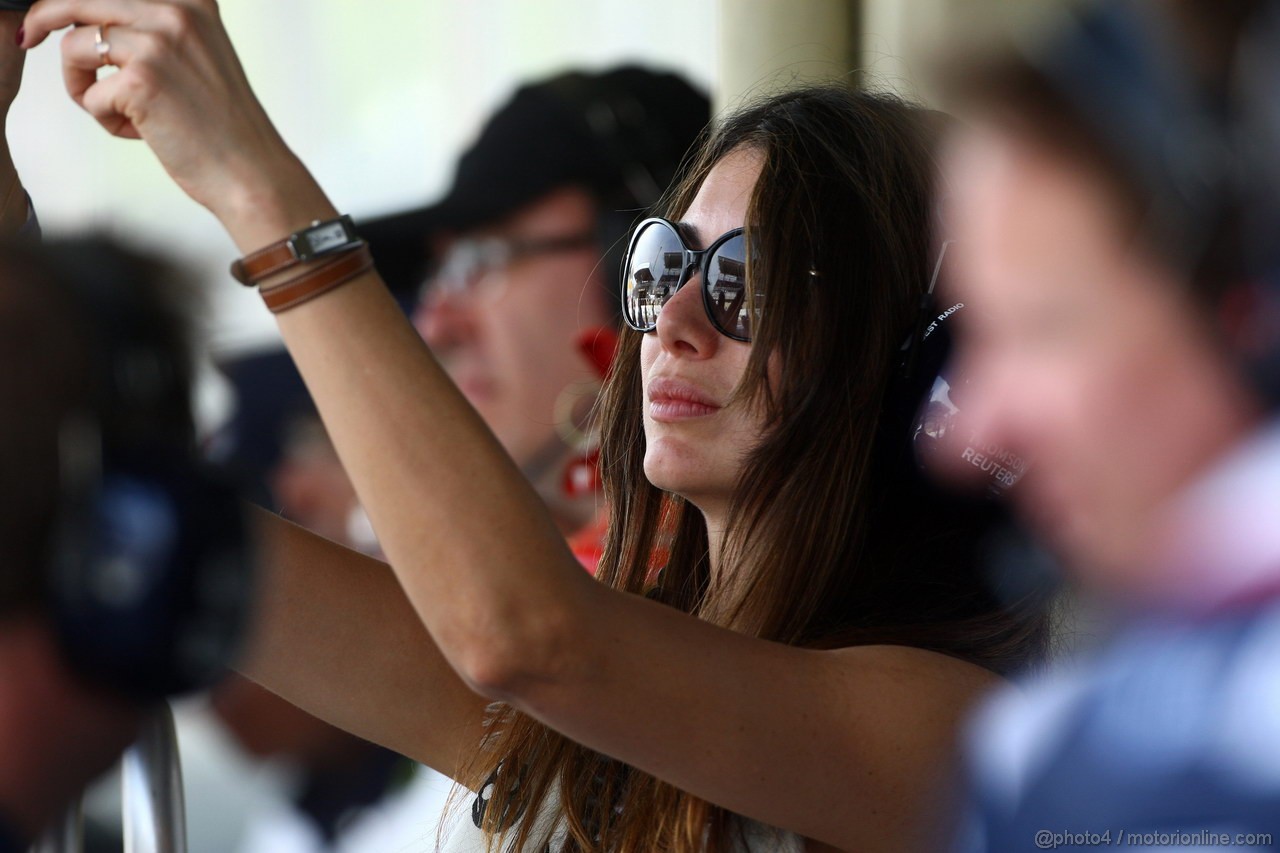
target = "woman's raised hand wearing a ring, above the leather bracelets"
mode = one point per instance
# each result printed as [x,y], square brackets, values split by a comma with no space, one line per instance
[181,89]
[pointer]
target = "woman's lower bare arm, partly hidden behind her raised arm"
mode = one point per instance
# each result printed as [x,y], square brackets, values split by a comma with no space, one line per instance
[335,635]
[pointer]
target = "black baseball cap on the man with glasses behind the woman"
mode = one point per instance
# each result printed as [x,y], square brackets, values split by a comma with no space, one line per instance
[620,134]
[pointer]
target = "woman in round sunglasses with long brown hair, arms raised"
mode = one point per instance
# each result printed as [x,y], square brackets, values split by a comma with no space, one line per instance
[803,651]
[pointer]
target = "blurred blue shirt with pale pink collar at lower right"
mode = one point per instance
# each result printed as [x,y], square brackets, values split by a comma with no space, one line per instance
[1173,731]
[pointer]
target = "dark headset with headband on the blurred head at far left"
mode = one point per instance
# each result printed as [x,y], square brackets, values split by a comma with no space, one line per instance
[150,574]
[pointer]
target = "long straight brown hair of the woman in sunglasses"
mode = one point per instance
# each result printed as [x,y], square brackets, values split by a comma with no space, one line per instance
[828,548]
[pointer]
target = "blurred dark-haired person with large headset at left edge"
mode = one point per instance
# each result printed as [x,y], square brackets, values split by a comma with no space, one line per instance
[124,563]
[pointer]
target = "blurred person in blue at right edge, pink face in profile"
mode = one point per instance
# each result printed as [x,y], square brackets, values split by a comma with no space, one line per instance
[1117,232]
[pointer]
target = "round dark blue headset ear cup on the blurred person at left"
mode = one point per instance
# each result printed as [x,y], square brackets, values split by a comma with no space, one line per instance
[152,578]
